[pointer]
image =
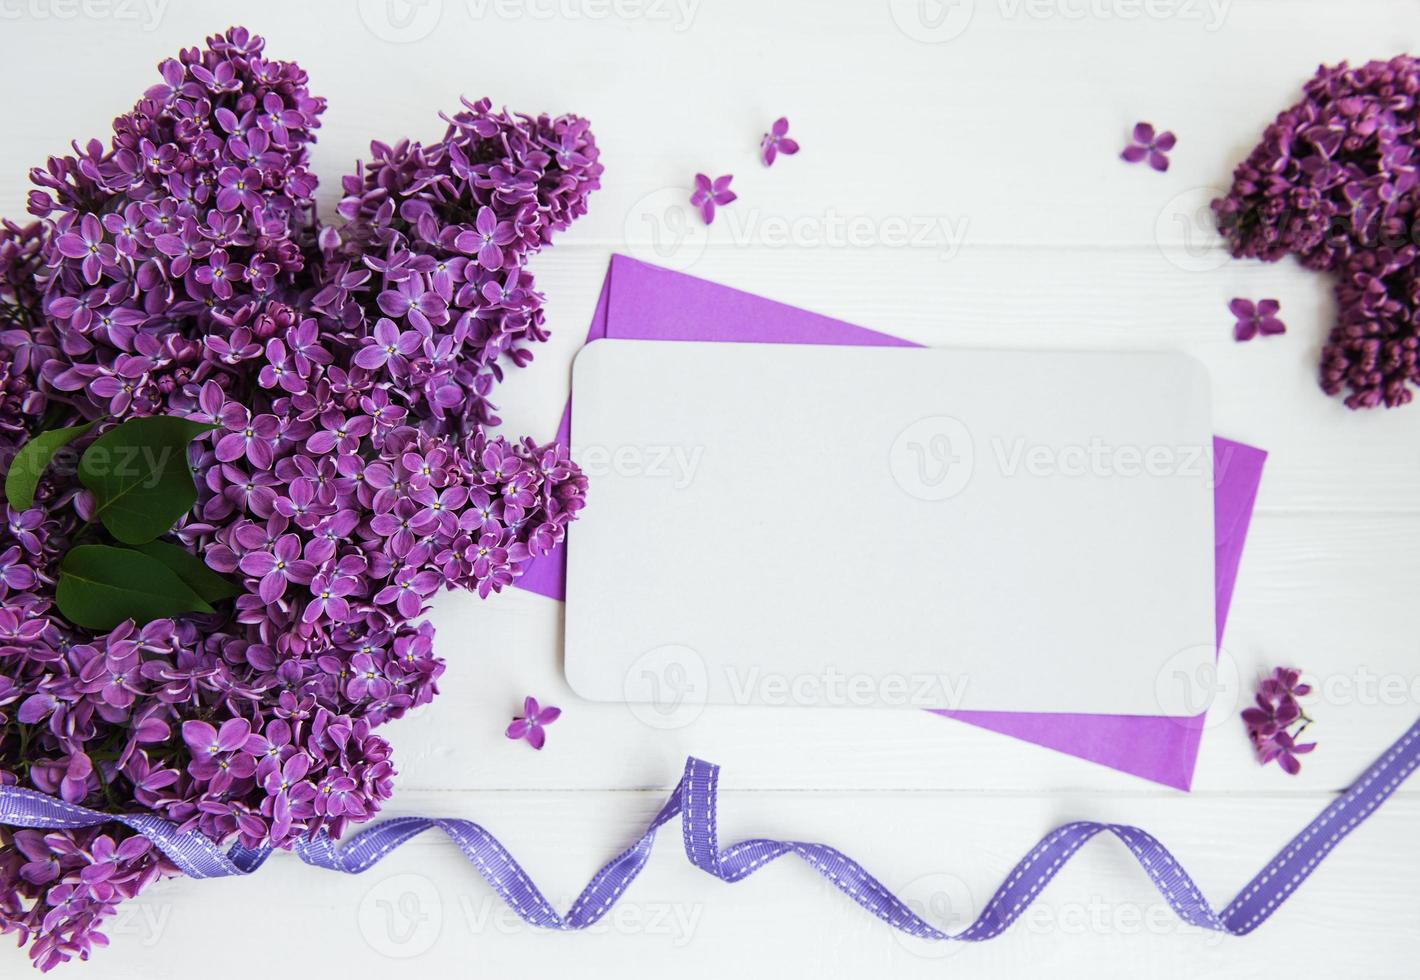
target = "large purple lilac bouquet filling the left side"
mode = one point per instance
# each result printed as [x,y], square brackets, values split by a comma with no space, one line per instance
[339,381]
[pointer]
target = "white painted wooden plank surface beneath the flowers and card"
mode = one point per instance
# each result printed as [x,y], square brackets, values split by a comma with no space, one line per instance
[996,124]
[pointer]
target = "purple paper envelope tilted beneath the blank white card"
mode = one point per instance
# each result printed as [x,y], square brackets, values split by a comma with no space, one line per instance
[648,303]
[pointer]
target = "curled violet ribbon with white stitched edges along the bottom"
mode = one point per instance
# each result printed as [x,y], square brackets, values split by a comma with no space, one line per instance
[695,802]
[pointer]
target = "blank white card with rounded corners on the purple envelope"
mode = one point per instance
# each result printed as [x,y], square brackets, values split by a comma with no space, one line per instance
[985,530]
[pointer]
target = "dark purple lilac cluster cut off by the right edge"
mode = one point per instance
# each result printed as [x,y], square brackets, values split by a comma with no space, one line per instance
[1336,184]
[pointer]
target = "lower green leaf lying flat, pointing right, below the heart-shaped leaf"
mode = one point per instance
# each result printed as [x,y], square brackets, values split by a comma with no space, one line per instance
[102,587]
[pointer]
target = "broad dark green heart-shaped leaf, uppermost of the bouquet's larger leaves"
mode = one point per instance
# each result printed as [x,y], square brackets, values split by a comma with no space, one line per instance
[138,475]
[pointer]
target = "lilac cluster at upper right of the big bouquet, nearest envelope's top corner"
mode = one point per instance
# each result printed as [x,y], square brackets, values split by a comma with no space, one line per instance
[428,271]
